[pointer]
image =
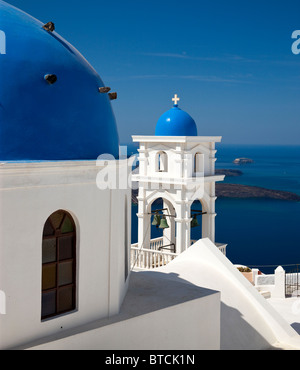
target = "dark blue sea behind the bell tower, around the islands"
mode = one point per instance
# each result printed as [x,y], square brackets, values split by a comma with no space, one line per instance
[260,233]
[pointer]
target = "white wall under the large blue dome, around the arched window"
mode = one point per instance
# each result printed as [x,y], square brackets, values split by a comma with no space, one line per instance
[29,194]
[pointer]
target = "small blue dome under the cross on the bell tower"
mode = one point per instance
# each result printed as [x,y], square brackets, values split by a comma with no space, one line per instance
[176,122]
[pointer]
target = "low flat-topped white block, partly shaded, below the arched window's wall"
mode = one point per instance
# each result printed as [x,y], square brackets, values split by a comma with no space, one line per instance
[159,313]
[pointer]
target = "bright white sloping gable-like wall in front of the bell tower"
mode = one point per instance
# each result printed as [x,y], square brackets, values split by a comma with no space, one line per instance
[248,321]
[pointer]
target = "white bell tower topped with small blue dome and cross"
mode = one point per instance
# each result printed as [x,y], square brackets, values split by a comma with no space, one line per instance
[177,166]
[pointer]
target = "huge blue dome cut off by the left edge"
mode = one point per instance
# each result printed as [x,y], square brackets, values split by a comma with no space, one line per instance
[65,120]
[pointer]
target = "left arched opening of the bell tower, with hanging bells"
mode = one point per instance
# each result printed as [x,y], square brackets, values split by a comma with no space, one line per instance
[163,225]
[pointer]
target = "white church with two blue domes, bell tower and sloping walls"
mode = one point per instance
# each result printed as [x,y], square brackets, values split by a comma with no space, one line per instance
[70,278]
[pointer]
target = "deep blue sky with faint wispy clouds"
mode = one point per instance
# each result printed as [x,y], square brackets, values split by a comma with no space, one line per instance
[229,61]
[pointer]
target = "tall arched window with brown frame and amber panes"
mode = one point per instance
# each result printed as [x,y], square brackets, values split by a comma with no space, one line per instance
[58,265]
